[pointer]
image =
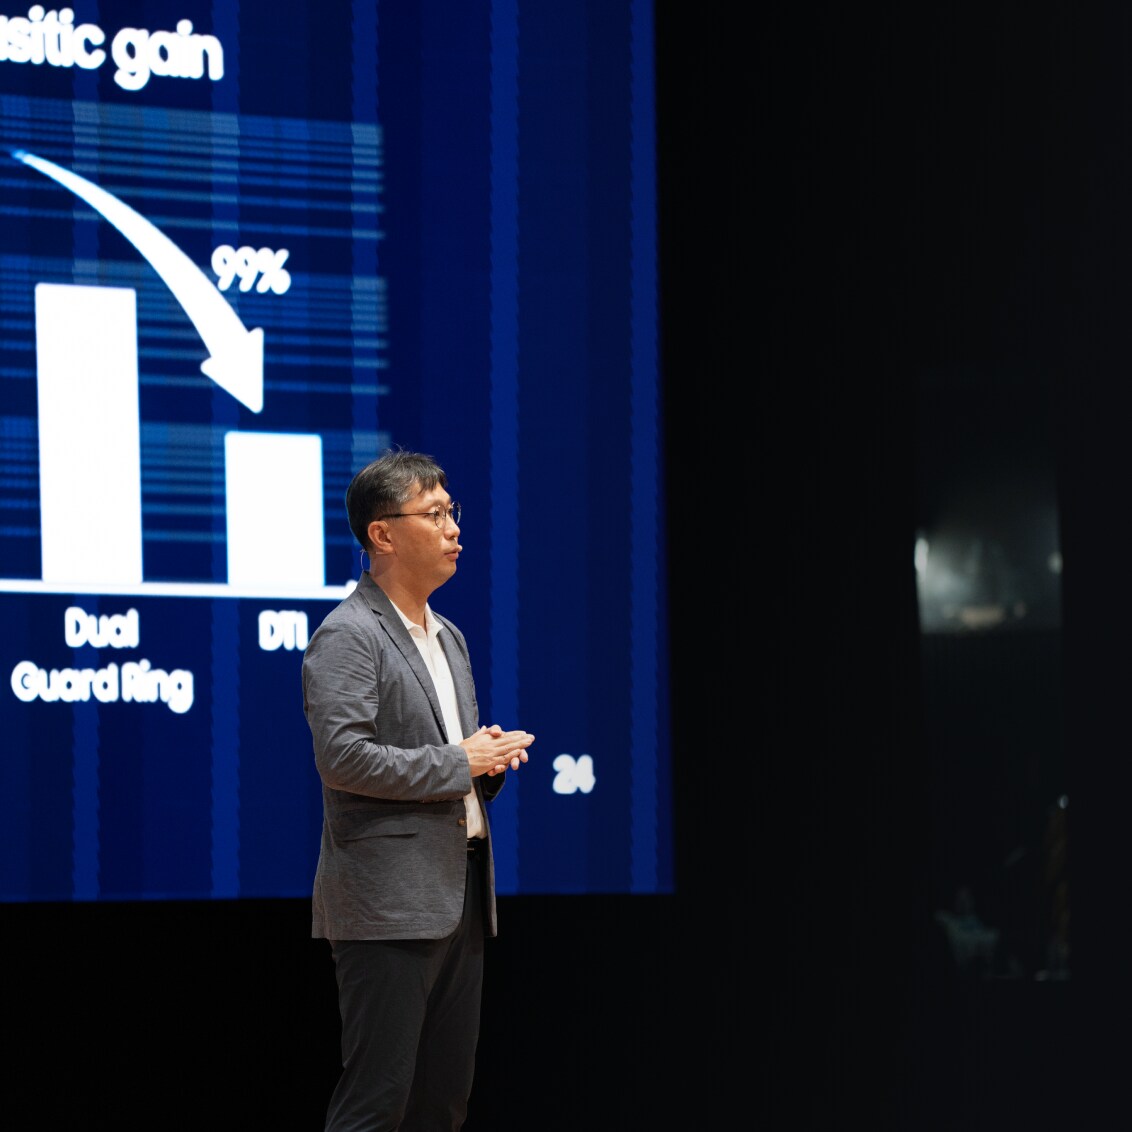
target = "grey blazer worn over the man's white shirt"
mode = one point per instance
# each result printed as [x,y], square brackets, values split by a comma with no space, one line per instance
[393,857]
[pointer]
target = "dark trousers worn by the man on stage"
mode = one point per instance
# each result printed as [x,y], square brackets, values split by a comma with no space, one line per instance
[410,1022]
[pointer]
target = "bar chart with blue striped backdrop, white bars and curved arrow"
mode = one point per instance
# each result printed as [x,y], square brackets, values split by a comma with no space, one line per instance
[170,435]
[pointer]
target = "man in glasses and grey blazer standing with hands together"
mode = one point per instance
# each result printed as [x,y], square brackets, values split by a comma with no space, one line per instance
[405,889]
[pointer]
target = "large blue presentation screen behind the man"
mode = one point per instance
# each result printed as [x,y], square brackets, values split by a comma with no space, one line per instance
[245,247]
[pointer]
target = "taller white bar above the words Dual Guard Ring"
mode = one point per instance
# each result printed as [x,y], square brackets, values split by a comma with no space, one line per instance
[90,434]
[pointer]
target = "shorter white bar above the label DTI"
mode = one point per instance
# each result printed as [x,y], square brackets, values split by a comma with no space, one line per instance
[275,503]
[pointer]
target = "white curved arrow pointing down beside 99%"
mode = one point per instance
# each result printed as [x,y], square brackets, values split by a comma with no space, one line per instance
[236,361]
